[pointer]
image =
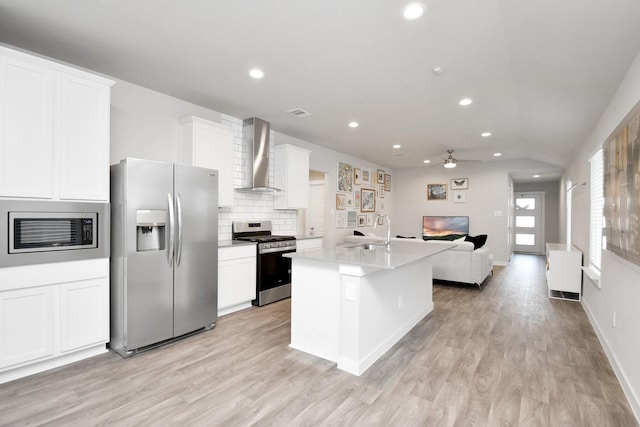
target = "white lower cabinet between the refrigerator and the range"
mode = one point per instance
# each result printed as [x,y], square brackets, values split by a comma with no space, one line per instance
[236,278]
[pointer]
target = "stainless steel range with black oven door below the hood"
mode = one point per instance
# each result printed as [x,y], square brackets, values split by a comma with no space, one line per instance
[273,271]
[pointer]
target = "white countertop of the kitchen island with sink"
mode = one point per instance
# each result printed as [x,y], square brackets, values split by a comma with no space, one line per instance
[399,254]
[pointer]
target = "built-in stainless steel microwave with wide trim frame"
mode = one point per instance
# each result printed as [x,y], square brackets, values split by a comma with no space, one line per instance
[39,232]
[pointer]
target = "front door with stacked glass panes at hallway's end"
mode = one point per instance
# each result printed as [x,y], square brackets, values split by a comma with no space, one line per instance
[528,223]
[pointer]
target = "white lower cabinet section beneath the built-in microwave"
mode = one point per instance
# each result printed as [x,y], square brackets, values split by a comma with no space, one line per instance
[51,315]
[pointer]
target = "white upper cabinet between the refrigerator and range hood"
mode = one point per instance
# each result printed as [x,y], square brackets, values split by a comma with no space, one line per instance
[208,144]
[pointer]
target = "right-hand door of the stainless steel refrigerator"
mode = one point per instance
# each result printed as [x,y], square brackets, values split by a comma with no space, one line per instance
[196,259]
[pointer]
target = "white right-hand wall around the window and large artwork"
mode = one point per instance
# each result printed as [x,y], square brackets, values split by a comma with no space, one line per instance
[620,280]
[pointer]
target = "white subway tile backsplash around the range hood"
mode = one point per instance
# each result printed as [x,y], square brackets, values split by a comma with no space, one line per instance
[251,206]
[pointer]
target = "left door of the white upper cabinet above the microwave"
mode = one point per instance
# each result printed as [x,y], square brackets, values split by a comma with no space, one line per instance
[27,93]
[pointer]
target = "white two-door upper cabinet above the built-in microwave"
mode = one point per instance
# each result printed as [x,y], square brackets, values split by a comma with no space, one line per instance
[54,130]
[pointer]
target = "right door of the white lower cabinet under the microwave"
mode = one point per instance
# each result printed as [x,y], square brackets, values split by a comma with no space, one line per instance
[84,313]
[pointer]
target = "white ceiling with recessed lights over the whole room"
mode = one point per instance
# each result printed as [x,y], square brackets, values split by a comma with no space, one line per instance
[540,72]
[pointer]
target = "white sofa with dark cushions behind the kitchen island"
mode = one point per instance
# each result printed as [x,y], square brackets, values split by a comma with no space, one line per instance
[459,264]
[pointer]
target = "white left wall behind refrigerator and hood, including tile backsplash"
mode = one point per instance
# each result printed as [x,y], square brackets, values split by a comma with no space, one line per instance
[145,124]
